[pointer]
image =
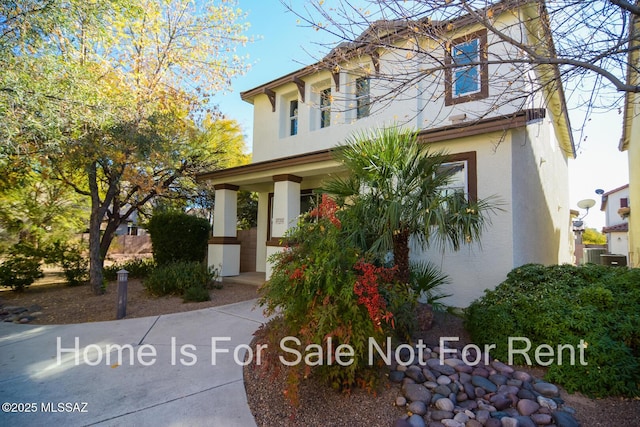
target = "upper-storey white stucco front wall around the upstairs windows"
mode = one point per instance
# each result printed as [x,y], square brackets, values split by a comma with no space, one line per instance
[420,106]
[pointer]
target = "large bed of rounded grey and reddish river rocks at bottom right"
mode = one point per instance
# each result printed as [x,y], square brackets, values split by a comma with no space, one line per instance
[460,394]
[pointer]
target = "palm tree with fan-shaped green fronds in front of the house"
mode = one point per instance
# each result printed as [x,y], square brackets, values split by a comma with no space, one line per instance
[397,189]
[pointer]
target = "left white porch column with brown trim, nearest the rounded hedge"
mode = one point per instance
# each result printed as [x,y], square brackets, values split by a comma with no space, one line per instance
[224,247]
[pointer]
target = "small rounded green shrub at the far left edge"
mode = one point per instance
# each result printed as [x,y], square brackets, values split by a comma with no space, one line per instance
[21,268]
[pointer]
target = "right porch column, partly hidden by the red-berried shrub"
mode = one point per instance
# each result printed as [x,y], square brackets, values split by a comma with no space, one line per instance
[286,209]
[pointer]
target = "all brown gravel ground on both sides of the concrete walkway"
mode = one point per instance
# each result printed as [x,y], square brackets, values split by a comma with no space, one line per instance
[319,405]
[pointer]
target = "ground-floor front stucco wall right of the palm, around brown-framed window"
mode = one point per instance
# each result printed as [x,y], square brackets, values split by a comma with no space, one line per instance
[478,267]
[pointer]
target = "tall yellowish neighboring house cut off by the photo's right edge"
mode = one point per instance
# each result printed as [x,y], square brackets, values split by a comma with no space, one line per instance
[630,142]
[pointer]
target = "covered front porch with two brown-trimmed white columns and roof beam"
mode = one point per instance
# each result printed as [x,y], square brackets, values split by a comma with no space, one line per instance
[283,186]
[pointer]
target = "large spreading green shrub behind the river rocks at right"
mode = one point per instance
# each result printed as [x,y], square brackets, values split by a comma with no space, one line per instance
[560,305]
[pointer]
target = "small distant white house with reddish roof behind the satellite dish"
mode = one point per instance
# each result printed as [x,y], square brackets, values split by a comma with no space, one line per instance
[615,205]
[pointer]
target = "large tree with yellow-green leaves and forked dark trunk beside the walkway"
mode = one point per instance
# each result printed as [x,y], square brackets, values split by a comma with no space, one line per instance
[106,97]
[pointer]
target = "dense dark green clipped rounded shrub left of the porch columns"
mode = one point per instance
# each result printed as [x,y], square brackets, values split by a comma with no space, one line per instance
[176,236]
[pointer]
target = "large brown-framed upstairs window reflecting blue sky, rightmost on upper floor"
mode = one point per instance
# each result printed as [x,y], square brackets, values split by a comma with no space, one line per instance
[465,78]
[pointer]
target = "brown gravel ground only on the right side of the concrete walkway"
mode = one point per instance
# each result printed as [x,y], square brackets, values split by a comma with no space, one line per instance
[322,406]
